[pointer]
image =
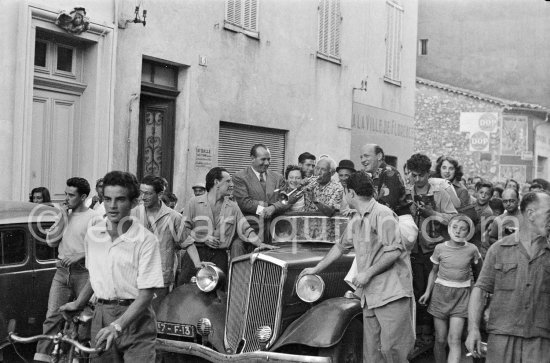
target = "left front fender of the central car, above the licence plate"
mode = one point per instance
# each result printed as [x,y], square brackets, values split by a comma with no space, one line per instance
[186,304]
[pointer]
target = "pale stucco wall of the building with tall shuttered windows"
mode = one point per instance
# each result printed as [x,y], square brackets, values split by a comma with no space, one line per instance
[276,81]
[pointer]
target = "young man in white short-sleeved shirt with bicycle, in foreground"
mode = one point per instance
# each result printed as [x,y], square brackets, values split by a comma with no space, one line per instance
[123,260]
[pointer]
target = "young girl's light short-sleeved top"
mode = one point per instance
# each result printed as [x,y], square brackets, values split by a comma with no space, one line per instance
[455,263]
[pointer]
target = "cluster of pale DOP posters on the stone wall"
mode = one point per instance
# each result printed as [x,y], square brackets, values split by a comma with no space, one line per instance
[479,126]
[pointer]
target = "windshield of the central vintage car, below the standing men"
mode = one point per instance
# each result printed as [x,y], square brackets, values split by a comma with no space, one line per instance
[307,227]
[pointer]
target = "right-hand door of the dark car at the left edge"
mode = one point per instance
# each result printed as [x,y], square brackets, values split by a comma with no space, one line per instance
[44,259]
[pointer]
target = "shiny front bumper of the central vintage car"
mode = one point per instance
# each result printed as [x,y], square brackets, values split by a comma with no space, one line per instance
[211,355]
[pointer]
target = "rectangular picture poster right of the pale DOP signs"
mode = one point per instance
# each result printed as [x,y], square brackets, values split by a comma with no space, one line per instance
[514,137]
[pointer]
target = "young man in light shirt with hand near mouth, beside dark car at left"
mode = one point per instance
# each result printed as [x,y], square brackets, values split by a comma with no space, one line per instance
[71,275]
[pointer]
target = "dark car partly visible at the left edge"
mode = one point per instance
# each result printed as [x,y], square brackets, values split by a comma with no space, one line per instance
[27,266]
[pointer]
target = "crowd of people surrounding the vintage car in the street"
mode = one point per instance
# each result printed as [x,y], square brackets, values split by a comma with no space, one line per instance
[476,244]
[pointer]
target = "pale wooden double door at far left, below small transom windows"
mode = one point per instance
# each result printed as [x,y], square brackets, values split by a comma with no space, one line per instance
[55,120]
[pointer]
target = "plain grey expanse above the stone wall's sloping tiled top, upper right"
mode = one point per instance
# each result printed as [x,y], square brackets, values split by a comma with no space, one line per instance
[496,47]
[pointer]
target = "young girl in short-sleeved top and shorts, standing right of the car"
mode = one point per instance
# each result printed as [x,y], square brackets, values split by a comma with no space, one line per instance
[449,286]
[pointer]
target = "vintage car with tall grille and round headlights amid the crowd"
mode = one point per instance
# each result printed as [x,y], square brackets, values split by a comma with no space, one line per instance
[263,313]
